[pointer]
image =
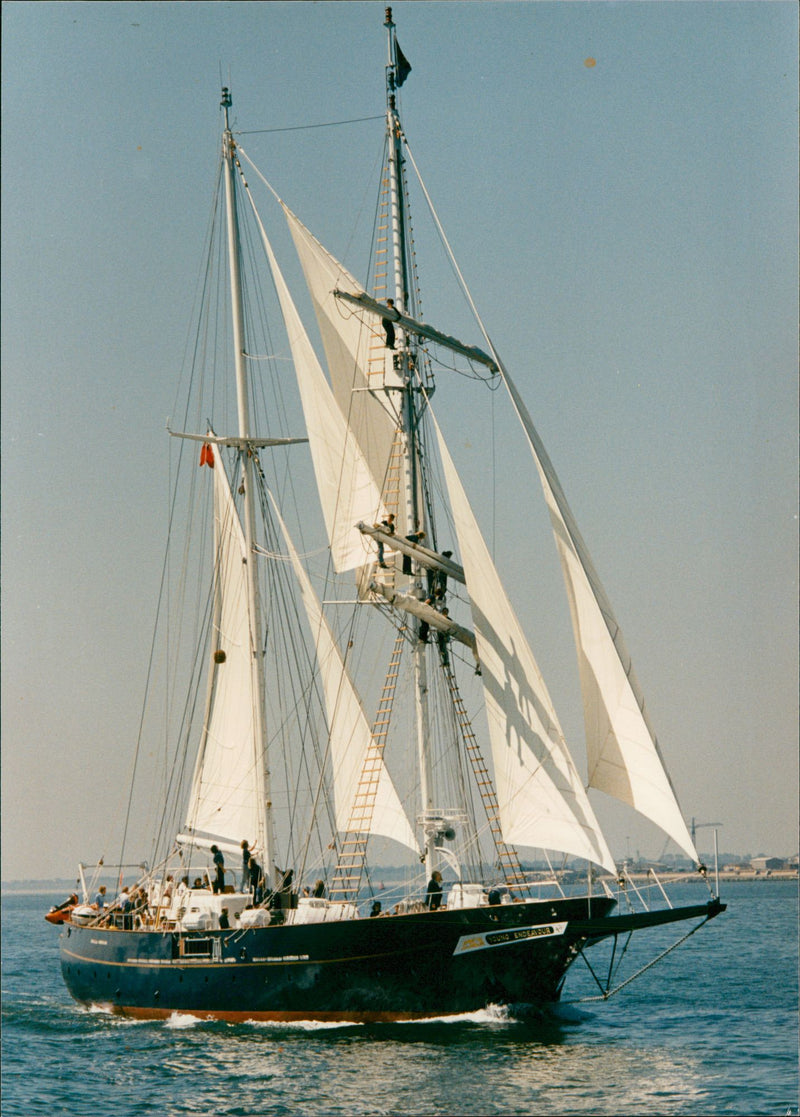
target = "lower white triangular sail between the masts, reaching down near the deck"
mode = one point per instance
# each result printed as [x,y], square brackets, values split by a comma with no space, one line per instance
[349,731]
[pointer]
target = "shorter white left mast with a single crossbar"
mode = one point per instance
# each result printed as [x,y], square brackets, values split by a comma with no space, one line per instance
[265,838]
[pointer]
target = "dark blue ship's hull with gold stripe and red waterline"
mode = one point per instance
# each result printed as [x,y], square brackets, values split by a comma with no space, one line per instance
[395,968]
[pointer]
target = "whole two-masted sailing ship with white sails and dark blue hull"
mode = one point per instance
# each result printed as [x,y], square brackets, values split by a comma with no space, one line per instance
[260,902]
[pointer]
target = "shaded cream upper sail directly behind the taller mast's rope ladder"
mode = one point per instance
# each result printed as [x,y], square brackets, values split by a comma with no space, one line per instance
[357,358]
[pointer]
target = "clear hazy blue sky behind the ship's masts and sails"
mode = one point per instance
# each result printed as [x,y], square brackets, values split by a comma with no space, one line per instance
[630,233]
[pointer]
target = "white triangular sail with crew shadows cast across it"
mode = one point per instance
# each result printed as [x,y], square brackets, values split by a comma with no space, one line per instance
[542,801]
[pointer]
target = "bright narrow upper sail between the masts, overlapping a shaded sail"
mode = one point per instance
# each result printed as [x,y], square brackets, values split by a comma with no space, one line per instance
[348,492]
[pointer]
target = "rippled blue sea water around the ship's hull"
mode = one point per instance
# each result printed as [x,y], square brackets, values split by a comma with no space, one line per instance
[712,1029]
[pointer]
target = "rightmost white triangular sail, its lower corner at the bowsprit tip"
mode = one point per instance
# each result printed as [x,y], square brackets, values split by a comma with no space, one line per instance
[622,747]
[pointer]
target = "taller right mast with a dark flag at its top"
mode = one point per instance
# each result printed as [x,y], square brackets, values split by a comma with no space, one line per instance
[415,508]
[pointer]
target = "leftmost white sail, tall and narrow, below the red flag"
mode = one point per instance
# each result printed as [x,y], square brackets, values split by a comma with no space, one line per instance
[225,797]
